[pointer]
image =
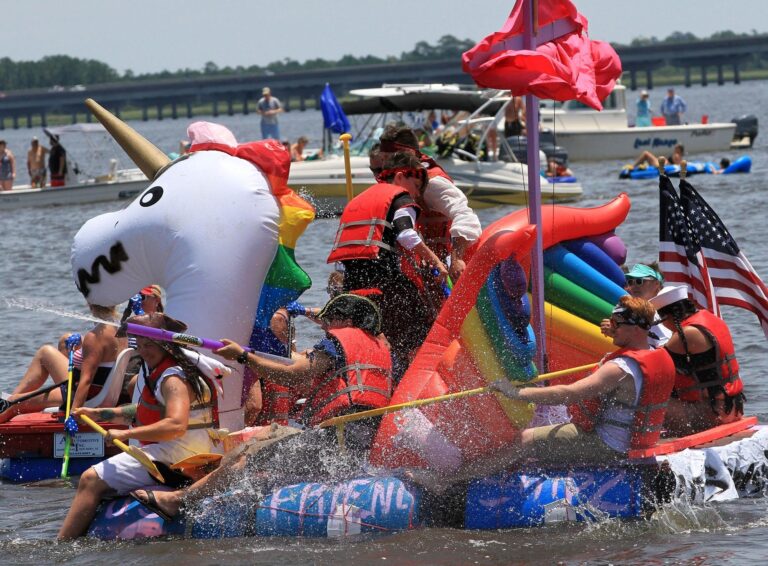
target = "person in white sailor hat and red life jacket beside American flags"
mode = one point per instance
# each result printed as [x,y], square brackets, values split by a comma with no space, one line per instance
[708,389]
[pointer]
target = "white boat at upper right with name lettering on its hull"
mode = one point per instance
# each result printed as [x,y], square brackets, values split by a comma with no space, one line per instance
[592,135]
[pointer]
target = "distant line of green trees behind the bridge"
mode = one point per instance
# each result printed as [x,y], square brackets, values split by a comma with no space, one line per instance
[65,71]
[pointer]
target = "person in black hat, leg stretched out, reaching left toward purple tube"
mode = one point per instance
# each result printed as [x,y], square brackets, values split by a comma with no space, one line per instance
[347,372]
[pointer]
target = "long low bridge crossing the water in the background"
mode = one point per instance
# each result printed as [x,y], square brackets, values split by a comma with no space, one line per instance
[238,93]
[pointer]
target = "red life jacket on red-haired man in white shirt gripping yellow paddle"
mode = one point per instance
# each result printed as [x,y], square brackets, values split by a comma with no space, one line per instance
[658,378]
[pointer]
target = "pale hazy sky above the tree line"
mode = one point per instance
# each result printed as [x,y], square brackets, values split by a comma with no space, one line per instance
[157,35]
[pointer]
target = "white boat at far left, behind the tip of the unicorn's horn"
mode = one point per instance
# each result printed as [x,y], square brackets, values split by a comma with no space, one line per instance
[83,187]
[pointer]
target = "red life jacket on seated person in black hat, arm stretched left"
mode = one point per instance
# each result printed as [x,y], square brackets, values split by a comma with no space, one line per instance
[365,381]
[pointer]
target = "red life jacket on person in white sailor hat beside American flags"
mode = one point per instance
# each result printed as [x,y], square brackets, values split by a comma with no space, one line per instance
[687,385]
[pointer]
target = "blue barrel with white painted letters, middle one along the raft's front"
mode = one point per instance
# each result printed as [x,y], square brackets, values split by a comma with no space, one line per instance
[367,505]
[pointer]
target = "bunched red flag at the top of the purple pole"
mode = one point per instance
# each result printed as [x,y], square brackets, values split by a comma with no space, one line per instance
[565,65]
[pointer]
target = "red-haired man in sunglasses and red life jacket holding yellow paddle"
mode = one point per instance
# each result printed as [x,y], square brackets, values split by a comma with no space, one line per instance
[620,406]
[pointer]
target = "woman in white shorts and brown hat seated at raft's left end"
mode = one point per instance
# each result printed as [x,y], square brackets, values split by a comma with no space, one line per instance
[172,420]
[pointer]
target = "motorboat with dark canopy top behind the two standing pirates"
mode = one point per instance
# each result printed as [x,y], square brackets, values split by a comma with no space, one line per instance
[486,183]
